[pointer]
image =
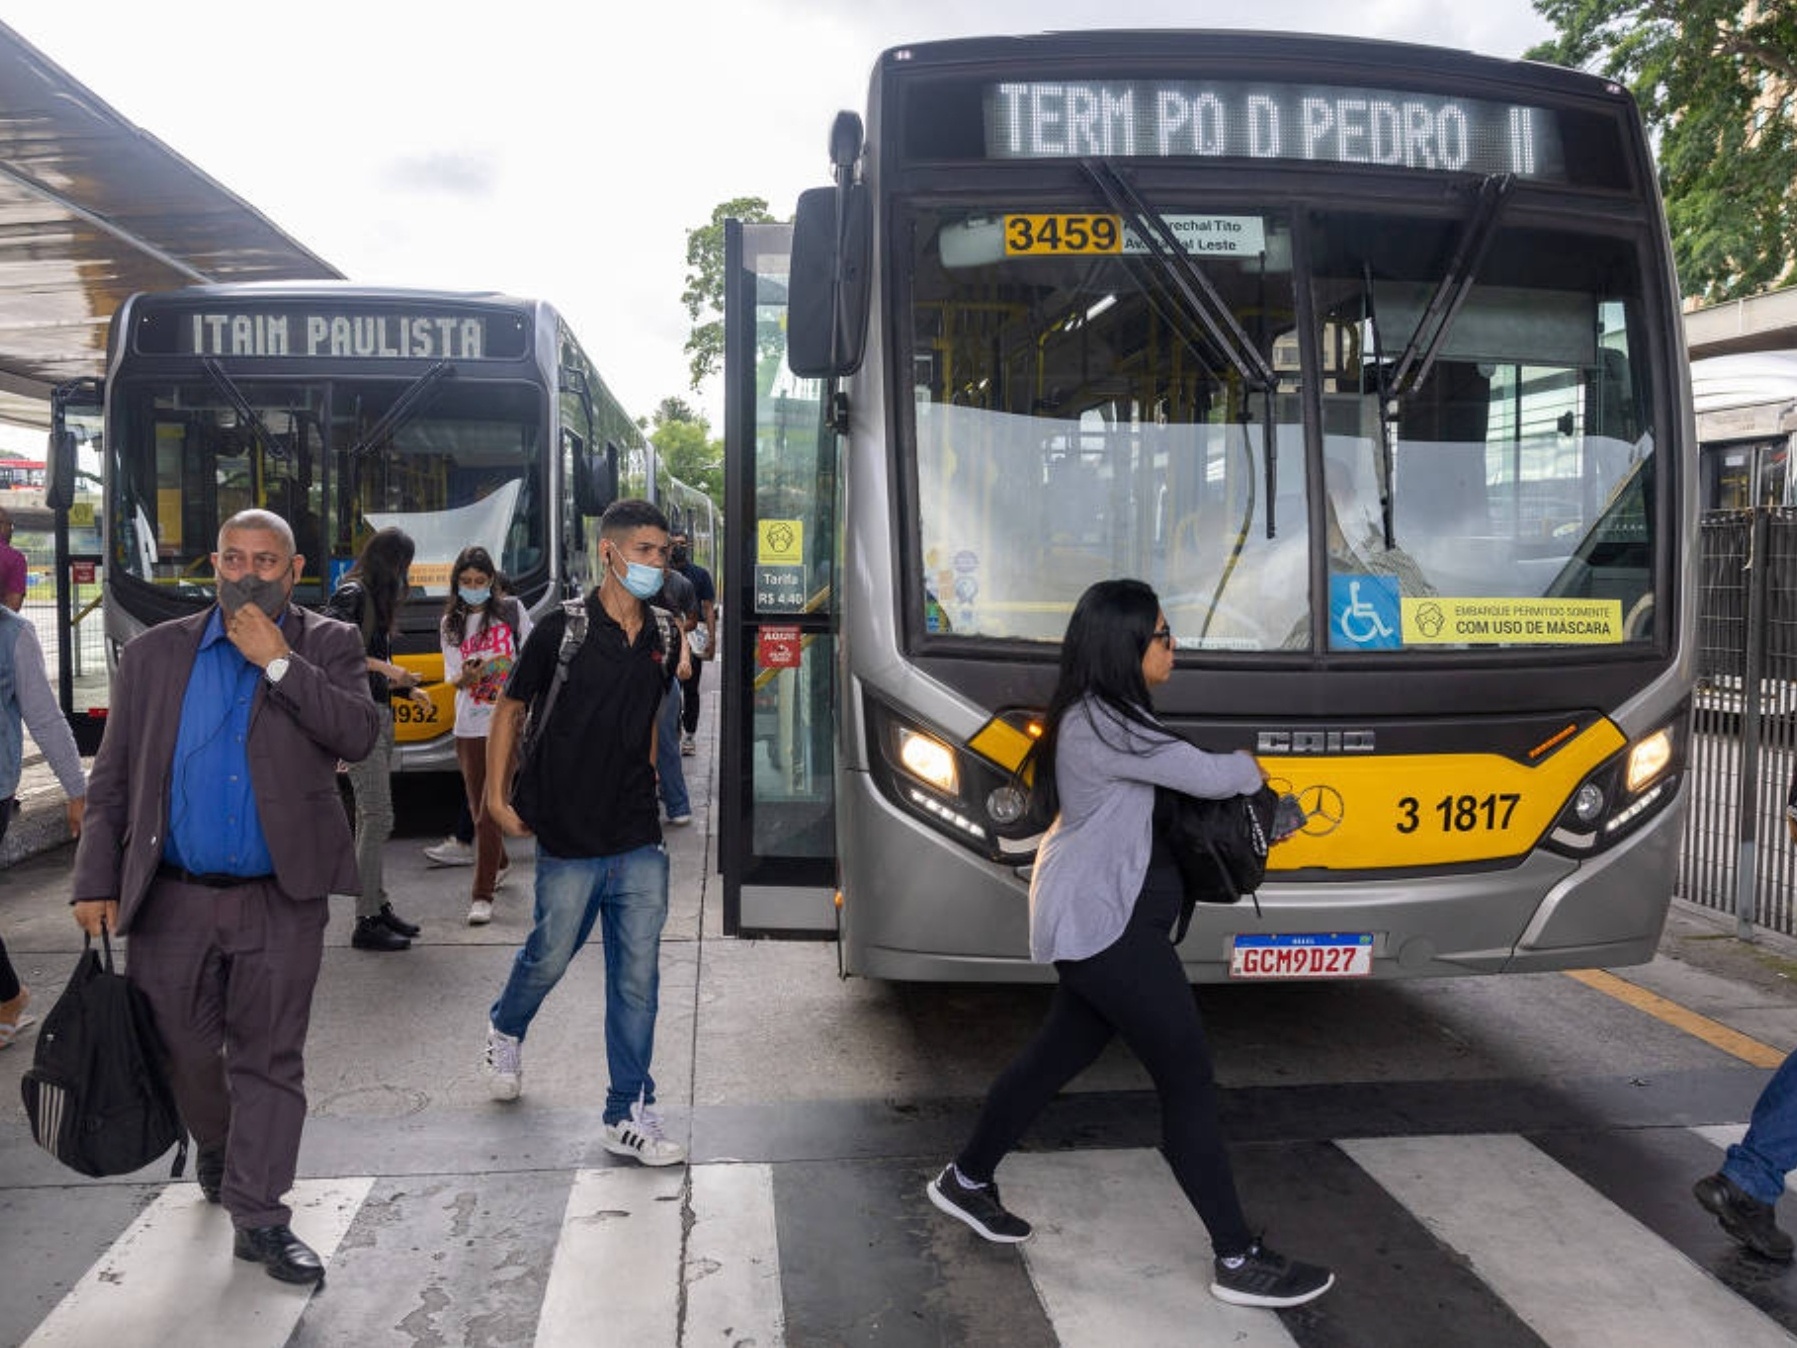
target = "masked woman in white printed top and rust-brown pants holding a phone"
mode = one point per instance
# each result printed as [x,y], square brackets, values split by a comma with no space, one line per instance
[482,634]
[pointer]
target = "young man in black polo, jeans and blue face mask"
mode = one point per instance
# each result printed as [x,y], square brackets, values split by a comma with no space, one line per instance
[589,792]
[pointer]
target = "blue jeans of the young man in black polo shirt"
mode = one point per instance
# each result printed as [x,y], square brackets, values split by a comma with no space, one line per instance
[628,894]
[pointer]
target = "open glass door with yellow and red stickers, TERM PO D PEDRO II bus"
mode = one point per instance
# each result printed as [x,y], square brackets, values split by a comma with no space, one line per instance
[777,838]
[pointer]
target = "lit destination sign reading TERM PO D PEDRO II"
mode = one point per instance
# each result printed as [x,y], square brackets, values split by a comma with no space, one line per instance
[1307,123]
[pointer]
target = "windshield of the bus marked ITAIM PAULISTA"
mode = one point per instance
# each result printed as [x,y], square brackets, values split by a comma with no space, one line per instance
[452,463]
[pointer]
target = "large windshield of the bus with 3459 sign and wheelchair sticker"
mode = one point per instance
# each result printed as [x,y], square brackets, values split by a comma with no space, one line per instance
[1088,402]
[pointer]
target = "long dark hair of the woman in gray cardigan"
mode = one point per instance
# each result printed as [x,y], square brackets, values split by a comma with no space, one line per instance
[1101,657]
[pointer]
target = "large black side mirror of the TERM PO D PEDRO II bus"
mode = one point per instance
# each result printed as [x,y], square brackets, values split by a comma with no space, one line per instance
[828,297]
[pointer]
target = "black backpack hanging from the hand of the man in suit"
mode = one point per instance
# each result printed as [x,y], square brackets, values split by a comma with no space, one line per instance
[98,1092]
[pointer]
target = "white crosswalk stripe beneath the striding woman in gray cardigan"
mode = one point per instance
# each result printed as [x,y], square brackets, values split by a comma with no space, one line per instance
[1119,1255]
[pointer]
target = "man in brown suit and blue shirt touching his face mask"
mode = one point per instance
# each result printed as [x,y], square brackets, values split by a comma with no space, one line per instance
[213,837]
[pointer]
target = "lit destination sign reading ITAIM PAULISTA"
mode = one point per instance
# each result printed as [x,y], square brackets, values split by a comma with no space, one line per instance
[297,332]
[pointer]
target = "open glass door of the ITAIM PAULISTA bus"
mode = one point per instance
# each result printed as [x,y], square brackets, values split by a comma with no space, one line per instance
[73,493]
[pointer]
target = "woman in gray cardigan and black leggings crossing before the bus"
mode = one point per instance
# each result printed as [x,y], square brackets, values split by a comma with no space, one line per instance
[1104,901]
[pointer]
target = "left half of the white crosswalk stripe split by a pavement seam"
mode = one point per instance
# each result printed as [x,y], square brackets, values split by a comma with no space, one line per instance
[617,1264]
